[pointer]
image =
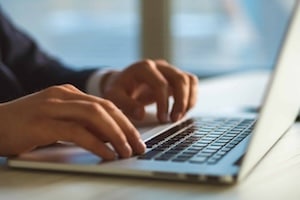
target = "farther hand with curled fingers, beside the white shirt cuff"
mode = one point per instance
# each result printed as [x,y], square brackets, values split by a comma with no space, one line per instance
[147,82]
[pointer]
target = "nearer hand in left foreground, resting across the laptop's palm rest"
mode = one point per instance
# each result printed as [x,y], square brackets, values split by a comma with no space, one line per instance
[63,113]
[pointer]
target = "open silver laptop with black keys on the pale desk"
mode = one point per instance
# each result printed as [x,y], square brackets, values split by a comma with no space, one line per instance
[212,149]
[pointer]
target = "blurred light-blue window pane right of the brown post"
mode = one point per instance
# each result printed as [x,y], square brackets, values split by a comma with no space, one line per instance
[216,36]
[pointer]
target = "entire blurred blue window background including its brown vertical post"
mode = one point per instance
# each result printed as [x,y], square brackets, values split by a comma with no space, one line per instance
[206,37]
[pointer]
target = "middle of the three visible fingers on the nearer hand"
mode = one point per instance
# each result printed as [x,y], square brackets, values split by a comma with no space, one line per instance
[95,117]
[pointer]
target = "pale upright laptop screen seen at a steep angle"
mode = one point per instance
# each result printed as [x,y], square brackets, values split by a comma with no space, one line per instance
[282,100]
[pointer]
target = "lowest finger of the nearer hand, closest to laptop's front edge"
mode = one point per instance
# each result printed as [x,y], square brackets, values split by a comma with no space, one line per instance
[75,133]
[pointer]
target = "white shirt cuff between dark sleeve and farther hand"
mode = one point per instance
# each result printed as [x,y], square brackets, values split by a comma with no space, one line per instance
[93,84]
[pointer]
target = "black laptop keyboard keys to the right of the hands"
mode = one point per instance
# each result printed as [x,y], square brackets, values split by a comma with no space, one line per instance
[198,140]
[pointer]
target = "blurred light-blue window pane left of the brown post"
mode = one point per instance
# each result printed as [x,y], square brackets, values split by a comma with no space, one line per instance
[81,33]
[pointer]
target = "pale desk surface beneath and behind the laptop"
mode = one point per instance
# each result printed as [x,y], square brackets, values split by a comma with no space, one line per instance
[276,177]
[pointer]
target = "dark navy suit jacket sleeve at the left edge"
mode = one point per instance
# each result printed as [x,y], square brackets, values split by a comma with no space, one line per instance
[25,68]
